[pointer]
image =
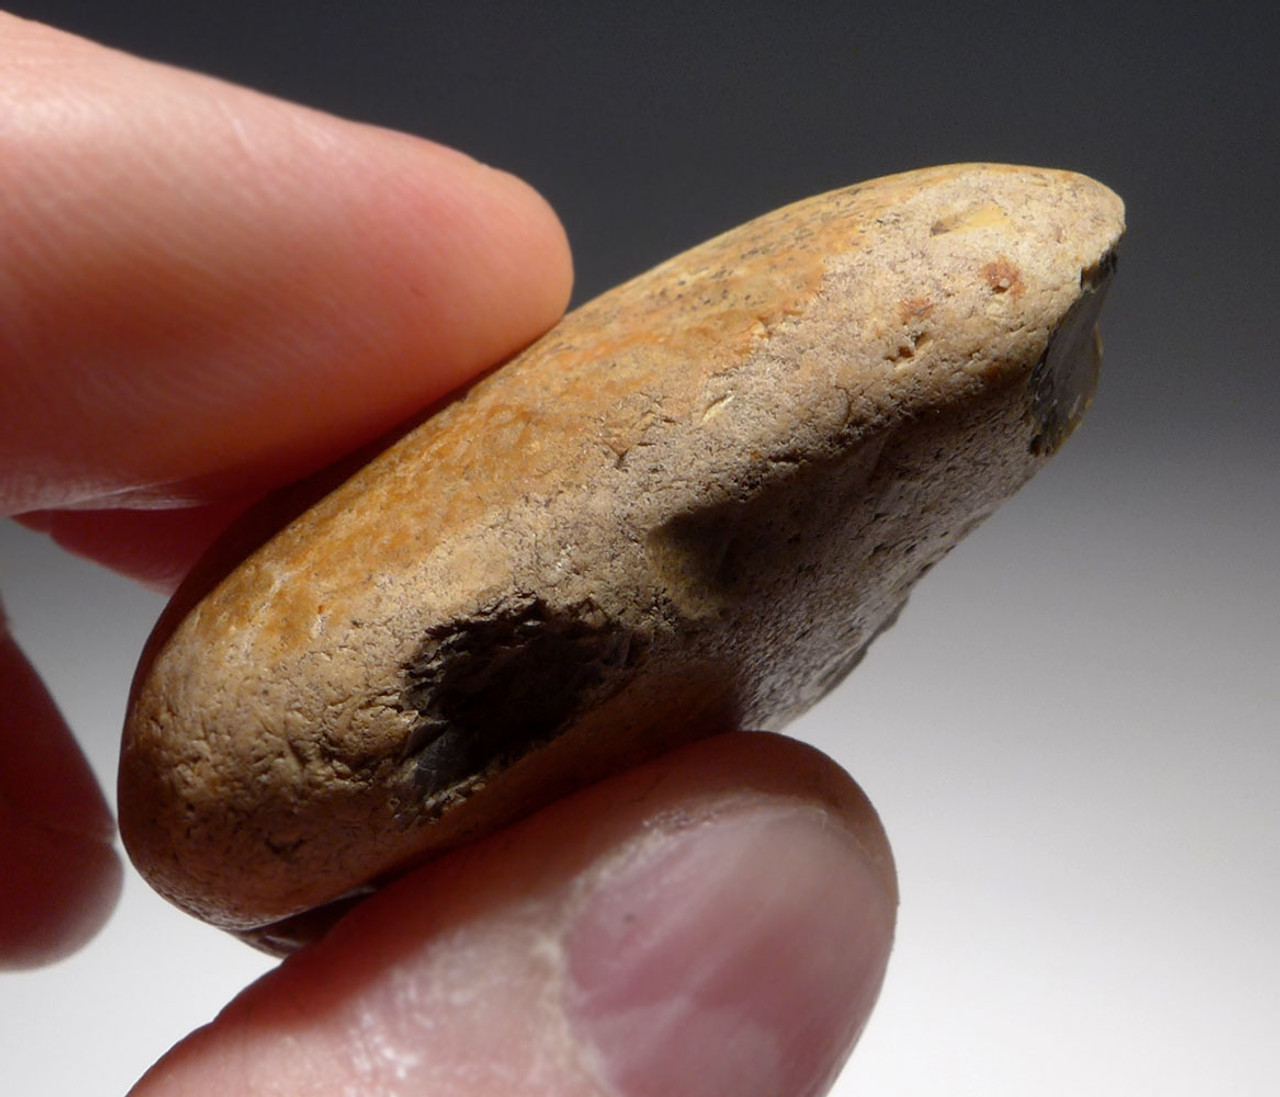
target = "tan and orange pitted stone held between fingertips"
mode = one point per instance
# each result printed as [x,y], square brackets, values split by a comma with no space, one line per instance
[689,508]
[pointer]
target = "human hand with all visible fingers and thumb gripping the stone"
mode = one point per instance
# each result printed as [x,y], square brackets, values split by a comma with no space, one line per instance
[207,294]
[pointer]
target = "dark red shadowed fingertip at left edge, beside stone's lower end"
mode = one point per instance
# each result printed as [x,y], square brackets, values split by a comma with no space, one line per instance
[60,874]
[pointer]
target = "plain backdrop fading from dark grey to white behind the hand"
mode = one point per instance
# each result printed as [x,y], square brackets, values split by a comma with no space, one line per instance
[1072,735]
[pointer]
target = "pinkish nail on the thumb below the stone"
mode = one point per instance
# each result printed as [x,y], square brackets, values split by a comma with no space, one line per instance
[738,956]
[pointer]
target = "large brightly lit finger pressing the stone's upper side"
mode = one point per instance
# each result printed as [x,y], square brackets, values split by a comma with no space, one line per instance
[205,292]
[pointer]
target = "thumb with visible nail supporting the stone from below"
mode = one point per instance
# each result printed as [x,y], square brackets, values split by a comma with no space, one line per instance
[717,922]
